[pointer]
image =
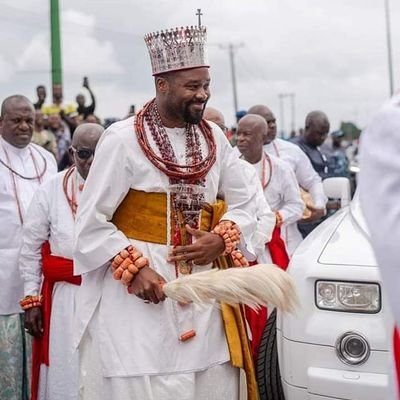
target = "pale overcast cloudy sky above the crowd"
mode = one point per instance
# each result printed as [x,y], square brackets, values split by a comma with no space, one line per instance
[331,54]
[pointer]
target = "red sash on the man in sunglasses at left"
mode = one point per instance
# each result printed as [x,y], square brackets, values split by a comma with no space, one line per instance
[54,269]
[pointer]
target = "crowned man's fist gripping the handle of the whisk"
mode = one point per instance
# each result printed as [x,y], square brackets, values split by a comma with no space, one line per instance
[147,285]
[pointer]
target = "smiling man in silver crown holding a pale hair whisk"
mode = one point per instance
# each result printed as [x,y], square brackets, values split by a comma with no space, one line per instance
[136,344]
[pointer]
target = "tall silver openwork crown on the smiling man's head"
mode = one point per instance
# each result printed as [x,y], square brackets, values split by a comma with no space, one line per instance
[177,49]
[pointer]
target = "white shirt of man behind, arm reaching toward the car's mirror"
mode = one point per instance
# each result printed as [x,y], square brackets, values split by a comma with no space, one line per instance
[306,176]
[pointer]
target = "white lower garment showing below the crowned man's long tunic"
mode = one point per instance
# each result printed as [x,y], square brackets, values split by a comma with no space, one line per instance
[220,382]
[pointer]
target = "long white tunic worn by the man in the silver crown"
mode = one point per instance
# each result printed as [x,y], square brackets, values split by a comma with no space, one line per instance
[137,338]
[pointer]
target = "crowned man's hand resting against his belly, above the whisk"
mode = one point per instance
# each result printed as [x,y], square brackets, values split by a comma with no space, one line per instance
[207,247]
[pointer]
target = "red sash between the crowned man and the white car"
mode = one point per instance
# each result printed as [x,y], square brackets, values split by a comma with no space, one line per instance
[257,320]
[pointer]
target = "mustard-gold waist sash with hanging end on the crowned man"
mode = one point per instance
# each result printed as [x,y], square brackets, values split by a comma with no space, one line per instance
[143,216]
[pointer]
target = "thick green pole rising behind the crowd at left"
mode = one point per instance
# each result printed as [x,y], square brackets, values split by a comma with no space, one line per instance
[56,67]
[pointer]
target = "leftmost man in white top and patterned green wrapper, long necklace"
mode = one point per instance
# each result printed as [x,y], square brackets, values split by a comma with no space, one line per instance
[23,167]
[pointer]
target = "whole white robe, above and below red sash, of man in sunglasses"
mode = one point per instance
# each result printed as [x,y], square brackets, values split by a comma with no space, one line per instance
[50,217]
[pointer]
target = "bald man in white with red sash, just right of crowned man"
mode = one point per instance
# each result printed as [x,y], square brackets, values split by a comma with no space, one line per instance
[282,193]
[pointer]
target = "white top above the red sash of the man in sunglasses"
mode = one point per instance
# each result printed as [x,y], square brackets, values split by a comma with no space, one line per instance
[50,218]
